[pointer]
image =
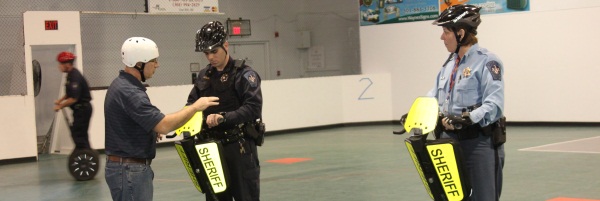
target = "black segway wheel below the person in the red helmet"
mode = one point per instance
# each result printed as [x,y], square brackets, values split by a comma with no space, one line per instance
[84,164]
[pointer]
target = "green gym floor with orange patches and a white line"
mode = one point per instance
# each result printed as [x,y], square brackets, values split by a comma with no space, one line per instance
[558,163]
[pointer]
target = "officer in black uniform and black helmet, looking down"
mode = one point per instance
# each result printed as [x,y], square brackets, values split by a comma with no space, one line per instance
[240,97]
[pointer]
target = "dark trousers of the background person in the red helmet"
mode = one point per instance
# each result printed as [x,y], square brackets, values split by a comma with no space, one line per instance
[82,113]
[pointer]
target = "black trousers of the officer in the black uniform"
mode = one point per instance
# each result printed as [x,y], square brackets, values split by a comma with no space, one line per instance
[244,172]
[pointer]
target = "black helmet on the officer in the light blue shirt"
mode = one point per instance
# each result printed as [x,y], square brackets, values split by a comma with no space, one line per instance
[460,16]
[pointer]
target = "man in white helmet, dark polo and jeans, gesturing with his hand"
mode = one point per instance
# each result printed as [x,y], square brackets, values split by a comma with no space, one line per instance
[133,124]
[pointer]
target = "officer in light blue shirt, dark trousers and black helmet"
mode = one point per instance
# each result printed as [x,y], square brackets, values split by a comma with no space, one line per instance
[470,92]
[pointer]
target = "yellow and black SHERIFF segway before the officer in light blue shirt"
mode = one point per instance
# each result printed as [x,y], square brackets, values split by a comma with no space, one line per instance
[439,162]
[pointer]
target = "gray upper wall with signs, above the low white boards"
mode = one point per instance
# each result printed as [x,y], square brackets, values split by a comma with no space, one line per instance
[103,35]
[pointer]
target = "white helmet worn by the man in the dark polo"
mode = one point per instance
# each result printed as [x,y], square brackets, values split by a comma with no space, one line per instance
[138,49]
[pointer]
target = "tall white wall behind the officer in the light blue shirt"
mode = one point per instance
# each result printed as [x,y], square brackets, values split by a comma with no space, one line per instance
[548,54]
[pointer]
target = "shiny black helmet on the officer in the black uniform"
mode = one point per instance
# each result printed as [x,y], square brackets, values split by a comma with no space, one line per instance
[210,36]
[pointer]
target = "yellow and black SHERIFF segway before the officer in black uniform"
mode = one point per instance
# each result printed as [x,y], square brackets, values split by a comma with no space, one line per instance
[202,158]
